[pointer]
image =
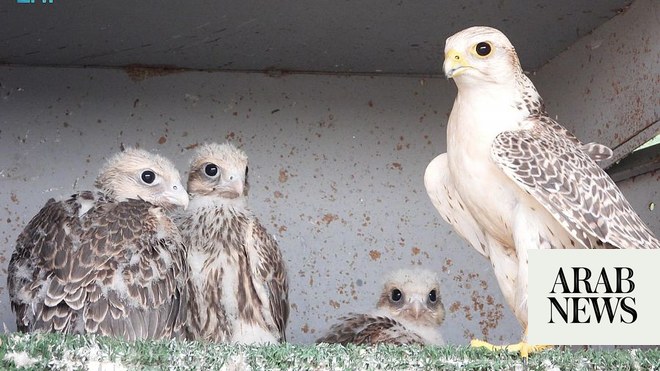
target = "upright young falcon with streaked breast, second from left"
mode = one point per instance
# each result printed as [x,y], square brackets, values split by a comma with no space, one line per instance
[238,285]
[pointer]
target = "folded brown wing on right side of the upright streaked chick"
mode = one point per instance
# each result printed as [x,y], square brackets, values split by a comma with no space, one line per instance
[271,273]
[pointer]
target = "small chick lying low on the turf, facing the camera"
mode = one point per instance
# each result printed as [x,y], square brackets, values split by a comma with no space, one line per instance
[409,311]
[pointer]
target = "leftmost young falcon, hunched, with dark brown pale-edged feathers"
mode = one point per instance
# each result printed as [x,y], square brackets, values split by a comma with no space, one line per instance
[109,262]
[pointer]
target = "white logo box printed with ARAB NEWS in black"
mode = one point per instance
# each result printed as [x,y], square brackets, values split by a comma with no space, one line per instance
[634,316]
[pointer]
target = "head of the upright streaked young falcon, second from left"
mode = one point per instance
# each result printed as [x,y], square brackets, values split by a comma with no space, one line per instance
[218,170]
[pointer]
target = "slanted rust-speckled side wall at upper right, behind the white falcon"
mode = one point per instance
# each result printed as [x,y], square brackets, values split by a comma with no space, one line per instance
[606,86]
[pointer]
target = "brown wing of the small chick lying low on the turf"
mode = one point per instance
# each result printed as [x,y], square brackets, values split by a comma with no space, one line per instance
[370,329]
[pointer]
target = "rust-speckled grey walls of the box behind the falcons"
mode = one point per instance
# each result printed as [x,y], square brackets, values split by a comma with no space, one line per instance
[336,161]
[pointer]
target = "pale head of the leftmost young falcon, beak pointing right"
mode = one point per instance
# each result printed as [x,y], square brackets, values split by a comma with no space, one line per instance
[138,174]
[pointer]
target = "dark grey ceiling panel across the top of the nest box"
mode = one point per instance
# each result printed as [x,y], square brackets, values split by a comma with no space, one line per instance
[394,37]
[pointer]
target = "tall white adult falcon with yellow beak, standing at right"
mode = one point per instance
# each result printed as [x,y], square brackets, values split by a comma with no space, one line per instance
[513,179]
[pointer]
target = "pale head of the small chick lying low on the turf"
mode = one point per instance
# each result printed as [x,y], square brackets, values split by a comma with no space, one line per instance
[413,295]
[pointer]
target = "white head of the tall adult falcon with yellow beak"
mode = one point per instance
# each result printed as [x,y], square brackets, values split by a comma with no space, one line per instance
[481,54]
